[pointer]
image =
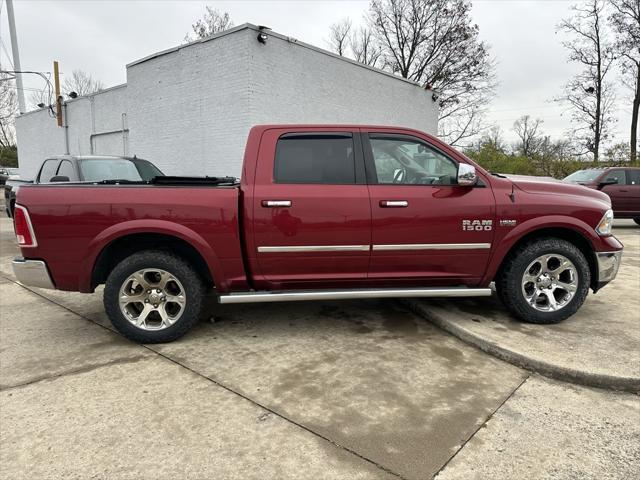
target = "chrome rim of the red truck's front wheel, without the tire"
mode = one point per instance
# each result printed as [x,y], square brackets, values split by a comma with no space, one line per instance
[550,282]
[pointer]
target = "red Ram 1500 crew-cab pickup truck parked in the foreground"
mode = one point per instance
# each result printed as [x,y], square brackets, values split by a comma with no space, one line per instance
[321,212]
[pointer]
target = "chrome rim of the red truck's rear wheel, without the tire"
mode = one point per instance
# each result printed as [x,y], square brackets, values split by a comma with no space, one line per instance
[152,299]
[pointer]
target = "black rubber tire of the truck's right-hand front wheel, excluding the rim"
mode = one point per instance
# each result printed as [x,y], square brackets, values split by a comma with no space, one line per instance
[509,281]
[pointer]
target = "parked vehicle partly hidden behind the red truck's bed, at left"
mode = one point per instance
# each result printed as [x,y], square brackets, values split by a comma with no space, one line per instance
[84,169]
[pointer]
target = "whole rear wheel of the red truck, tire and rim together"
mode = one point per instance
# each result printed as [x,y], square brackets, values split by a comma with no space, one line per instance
[153,297]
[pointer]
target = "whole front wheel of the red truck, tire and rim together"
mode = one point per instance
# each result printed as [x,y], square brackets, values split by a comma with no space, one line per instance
[544,281]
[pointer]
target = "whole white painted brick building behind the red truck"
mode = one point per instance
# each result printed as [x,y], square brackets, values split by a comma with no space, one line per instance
[189,109]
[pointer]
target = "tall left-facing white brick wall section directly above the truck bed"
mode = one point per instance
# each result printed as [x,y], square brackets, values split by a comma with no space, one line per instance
[188,110]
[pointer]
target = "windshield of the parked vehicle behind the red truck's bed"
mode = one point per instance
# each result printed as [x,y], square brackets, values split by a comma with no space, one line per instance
[96,170]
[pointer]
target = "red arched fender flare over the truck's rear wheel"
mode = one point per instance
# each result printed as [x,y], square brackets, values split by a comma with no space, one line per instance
[119,230]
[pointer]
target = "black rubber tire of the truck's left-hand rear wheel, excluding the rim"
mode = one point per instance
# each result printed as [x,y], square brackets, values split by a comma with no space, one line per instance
[152,259]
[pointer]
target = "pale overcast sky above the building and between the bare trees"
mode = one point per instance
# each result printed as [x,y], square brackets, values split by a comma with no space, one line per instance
[101,37]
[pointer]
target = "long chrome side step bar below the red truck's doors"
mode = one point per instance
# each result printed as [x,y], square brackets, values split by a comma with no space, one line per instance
[296,296]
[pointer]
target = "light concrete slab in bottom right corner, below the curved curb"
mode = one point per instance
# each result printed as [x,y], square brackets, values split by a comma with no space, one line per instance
[554,430]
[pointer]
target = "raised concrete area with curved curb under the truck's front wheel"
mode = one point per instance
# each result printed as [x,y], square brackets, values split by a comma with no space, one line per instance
[598,346]
